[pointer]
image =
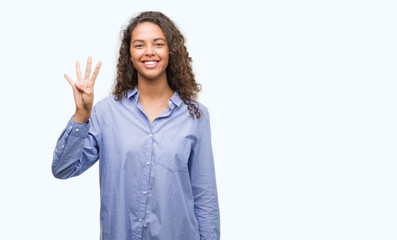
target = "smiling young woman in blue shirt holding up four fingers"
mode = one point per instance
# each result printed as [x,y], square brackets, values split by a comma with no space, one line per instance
[152,138]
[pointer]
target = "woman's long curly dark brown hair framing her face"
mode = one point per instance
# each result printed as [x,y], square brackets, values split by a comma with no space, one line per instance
[179,71]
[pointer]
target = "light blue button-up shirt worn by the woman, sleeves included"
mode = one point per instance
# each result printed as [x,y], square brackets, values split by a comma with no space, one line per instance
[157,181]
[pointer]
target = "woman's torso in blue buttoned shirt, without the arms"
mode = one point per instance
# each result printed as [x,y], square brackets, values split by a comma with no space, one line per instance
[137,157]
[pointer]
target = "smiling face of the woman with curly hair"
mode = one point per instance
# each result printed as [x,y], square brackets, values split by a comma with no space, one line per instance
[149,51]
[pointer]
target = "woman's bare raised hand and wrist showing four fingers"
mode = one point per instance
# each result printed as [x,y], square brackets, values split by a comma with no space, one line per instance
[83,90]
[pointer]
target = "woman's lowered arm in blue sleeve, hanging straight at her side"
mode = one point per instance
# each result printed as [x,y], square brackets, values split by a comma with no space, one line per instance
[202,176]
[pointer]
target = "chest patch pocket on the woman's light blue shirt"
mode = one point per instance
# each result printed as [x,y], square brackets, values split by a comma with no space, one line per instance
[174,155]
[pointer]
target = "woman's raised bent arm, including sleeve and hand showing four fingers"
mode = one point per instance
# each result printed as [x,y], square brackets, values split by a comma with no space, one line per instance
[77,148]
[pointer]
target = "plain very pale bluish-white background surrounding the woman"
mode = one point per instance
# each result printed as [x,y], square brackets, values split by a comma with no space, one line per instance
[302,97]
